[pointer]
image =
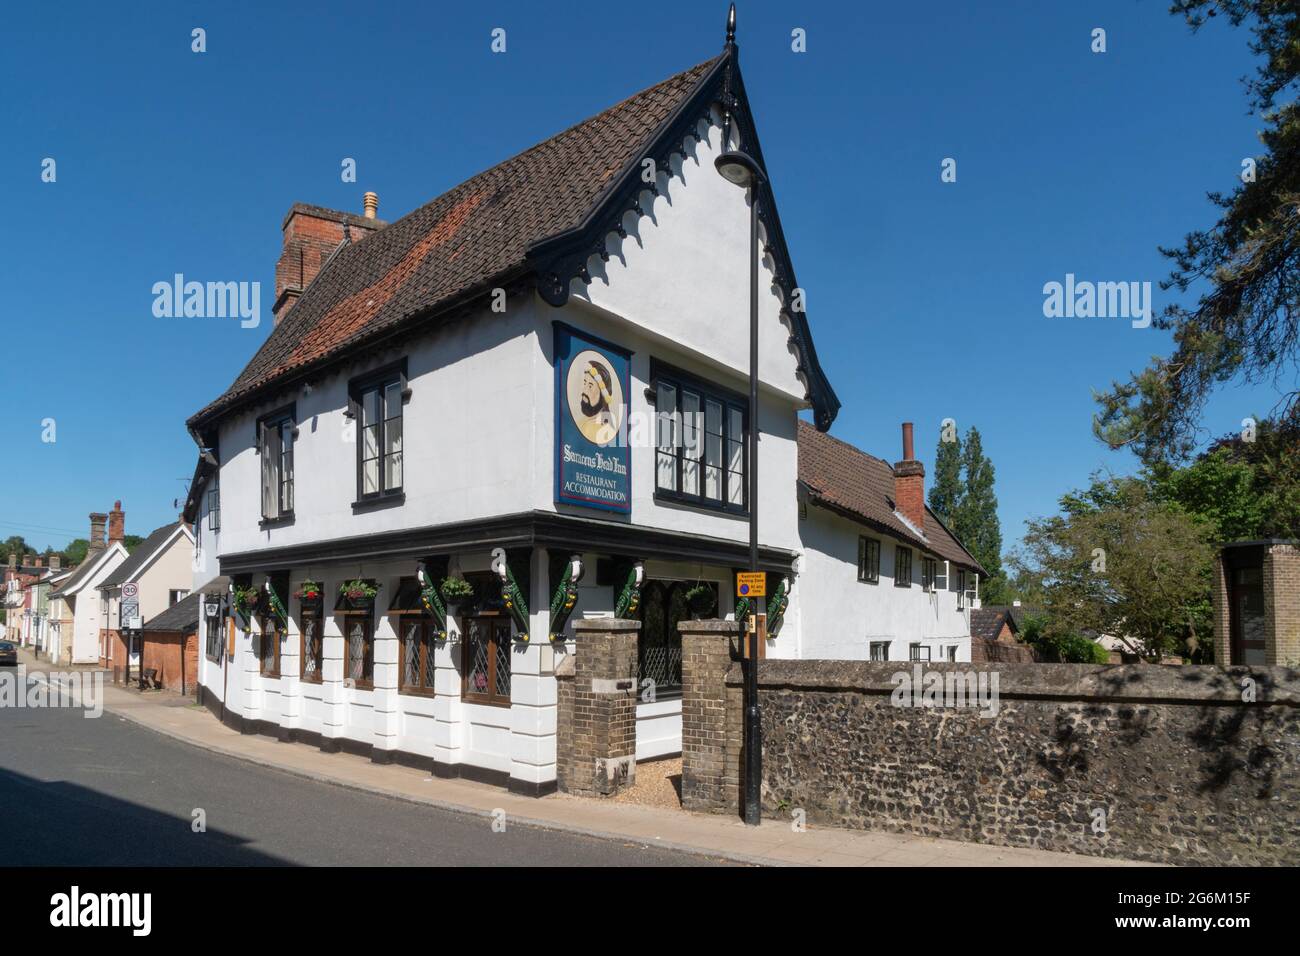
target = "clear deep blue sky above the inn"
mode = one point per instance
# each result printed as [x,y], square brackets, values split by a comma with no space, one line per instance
[925,297]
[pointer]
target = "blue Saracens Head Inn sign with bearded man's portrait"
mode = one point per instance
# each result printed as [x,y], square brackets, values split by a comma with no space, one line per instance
[593,462]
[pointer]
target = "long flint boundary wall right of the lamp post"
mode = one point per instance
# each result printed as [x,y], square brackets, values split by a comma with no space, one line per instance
[1185,772]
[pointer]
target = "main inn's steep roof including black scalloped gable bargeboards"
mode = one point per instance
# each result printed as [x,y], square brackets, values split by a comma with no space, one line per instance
[528,219]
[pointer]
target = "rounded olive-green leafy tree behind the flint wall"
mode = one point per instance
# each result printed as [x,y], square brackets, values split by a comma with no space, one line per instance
[1120,561]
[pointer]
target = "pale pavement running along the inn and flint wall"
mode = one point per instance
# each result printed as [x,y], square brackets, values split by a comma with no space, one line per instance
[714,837]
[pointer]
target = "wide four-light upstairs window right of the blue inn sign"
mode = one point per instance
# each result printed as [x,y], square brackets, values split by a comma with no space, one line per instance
[700,443]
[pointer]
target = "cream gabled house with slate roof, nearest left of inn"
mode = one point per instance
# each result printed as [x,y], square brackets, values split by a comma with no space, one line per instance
[155,577]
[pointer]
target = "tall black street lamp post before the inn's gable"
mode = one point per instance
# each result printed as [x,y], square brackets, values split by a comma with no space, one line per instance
[742,170]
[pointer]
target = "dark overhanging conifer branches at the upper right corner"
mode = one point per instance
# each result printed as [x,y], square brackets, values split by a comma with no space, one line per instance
[1246,322]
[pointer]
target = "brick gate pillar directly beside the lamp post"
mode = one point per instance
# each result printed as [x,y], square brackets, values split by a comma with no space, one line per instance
[707,654]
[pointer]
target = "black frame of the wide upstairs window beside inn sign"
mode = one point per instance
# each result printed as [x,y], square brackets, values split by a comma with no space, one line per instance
[729,400]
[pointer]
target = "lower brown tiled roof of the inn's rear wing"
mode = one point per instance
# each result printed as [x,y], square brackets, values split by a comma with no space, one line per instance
[855,485]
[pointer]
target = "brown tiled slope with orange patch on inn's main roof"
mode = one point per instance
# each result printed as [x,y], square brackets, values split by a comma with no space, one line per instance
[467,241]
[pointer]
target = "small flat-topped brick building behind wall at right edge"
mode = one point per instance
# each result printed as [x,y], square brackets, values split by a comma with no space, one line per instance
[1258,603]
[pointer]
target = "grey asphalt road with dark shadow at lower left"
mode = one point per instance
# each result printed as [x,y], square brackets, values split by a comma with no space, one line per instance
[107,793]
